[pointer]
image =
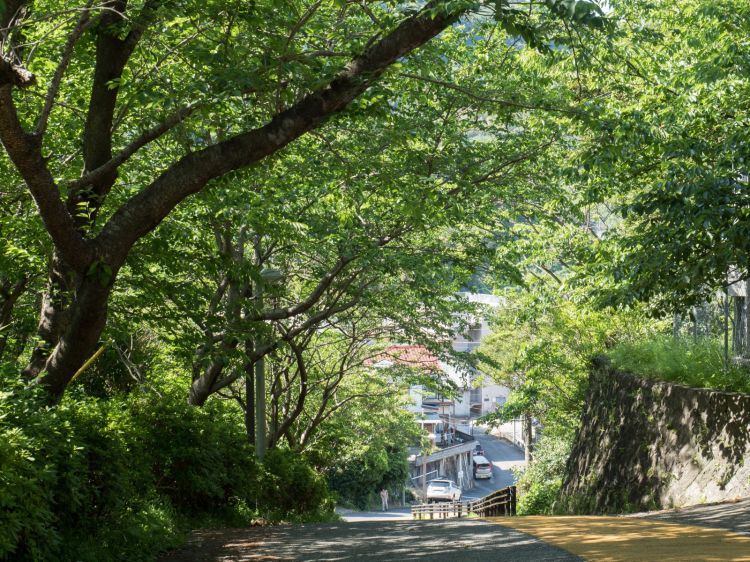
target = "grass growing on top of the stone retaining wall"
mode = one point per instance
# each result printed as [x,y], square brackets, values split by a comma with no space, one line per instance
[697,363]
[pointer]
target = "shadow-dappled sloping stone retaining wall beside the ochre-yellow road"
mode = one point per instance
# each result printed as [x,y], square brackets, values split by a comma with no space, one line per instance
[646,445]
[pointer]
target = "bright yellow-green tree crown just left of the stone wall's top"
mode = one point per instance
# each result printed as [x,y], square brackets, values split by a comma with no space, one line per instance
[541,348]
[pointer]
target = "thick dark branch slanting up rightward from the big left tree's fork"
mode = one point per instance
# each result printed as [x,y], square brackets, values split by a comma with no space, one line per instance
[146,210]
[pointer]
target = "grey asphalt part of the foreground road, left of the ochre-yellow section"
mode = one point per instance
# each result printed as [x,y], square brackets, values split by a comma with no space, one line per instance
[460,540]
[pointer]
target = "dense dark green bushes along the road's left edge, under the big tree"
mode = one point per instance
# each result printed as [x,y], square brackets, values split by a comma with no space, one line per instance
[123,478]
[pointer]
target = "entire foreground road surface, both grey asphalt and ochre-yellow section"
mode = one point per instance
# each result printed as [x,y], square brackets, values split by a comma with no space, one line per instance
[702,533]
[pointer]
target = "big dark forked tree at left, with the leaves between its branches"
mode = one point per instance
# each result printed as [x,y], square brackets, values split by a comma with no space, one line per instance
[124,109]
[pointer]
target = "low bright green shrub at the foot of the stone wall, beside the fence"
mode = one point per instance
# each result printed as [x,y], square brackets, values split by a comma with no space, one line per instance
[539,484]
